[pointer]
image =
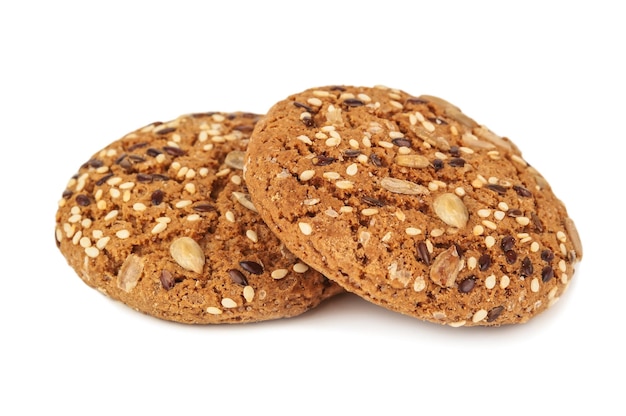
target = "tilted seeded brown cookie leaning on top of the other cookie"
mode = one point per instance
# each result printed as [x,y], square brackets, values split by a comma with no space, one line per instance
[412,205]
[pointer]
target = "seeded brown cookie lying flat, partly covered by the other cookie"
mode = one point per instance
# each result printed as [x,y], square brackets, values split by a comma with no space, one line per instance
[161,221]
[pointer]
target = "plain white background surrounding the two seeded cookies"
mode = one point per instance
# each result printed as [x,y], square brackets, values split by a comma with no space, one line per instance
[75,76]
